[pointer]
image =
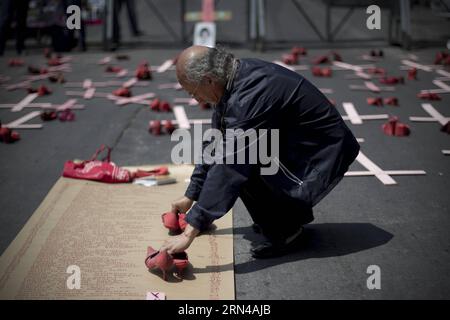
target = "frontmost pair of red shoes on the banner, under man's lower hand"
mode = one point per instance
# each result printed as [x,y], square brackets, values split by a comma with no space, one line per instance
[164,261]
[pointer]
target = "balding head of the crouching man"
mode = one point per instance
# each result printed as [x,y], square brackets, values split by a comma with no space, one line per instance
[204,72]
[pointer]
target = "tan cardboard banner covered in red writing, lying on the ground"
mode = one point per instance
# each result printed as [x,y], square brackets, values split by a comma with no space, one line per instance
[102,232]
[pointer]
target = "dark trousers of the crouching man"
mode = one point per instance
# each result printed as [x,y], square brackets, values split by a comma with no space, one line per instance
[278,215]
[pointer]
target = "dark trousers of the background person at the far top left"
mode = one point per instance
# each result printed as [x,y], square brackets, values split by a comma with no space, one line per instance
[10,10]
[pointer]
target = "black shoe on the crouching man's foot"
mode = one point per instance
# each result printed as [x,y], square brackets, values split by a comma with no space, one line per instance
[271,249]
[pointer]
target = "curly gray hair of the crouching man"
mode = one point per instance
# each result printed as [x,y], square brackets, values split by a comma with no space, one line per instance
[216,62]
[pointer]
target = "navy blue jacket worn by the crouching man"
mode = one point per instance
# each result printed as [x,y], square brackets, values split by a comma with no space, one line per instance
[316,146]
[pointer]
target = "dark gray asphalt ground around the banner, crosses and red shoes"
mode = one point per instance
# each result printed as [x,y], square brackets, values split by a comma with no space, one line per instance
[403,229]
